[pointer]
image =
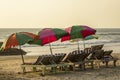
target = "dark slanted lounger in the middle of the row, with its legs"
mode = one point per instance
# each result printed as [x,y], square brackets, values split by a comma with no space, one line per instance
[78,58]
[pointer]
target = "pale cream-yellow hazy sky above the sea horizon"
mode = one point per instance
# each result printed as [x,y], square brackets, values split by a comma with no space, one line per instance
[59,13]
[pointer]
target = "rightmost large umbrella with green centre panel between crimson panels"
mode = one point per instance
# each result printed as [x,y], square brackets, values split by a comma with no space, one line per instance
[78,32]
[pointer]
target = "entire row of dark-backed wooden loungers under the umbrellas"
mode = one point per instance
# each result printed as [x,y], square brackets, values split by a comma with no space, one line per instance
[79,59]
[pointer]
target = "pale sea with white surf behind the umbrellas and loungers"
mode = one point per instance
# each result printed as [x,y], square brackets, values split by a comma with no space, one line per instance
[110,37]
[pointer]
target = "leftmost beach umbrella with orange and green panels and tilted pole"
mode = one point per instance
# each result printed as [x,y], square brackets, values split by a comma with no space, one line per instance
[18,39]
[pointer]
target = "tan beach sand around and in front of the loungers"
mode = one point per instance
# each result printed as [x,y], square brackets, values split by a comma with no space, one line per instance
[10,69]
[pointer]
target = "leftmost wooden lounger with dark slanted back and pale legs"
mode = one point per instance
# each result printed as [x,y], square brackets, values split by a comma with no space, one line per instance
[47,63]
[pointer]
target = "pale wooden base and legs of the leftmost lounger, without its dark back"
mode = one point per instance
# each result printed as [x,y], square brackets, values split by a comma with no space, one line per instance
[43,68]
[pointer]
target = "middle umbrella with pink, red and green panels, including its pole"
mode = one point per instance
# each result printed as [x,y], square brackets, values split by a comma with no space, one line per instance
[48,35]
